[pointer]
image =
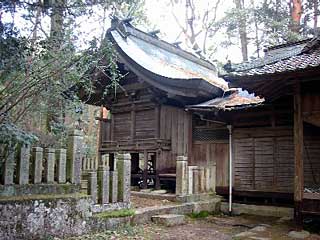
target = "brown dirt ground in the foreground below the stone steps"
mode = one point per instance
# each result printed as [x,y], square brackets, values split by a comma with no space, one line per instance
[212,227]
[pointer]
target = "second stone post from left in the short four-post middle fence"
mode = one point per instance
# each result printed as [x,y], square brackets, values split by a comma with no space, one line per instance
[103,184]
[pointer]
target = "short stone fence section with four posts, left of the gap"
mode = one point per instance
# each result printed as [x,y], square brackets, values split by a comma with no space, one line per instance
[106,186]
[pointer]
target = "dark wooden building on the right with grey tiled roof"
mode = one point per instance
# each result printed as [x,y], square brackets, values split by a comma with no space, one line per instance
[276,145]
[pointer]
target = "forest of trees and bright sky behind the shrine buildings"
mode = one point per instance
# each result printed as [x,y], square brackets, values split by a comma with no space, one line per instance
[48,46]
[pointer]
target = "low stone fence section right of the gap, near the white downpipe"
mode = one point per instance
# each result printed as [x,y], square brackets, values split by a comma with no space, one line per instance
[194,179]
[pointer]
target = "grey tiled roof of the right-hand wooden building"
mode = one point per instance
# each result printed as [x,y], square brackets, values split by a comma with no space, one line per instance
[295,61]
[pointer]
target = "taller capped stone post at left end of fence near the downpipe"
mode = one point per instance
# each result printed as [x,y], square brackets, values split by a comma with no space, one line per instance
[181,176]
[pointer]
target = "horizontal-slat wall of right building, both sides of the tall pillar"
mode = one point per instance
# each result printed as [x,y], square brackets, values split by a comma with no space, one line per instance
[264,159]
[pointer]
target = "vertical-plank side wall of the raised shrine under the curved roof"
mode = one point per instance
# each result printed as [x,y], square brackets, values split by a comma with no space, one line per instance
[175,125]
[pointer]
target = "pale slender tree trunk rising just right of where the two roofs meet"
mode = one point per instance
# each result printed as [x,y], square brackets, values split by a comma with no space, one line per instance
[242,30]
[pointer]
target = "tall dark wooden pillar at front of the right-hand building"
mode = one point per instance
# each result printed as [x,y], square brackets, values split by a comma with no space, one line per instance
[298,155]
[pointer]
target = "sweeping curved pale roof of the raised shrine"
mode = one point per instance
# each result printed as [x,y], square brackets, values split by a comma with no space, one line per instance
[164,63]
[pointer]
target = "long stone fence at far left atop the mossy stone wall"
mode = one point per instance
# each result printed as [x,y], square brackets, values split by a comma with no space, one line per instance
[35,168]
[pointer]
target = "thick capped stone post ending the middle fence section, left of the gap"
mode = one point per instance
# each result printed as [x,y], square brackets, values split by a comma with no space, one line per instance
[124,177]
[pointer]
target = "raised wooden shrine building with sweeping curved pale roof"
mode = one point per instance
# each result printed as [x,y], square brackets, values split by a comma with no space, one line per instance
[148,118]
